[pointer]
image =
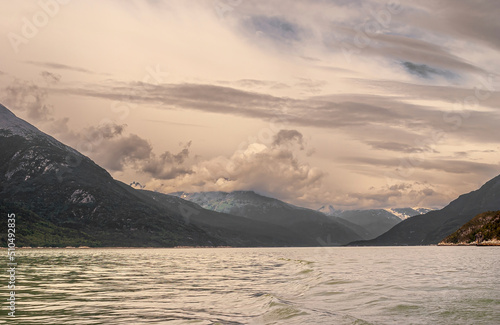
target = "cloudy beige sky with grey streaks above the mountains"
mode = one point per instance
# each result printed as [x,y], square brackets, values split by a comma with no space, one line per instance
[357,104]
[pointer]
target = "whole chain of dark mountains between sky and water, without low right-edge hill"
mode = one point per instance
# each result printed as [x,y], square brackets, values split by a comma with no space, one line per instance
[64,197]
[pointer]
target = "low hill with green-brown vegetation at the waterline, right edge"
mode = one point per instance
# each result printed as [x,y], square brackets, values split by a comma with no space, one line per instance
[485,226]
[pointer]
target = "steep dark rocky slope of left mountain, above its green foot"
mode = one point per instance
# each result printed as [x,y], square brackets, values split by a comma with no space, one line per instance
[68,190]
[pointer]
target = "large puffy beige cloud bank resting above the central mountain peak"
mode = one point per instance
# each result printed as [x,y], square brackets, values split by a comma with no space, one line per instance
[275,170]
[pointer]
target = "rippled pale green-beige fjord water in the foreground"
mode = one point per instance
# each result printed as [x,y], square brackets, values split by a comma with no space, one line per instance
[372,285]
